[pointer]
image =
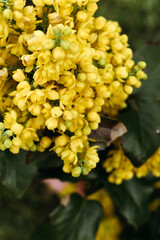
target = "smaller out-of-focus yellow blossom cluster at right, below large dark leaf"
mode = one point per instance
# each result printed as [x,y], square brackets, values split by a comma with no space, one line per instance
[121,168]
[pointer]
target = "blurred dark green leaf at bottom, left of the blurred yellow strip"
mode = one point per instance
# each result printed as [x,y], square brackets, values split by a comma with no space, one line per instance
[77,221]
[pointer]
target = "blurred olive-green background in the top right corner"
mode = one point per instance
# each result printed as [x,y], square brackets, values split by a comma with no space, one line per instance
[139,19]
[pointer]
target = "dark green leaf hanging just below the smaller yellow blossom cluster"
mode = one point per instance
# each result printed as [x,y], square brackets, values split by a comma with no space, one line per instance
[132,198]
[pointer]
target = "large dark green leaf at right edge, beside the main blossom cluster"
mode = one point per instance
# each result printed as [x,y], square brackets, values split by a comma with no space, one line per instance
[142,119]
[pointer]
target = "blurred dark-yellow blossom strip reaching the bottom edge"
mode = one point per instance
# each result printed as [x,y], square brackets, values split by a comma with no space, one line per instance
[110,226]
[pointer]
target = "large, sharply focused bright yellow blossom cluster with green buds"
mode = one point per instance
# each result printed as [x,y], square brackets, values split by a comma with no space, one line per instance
[60,69]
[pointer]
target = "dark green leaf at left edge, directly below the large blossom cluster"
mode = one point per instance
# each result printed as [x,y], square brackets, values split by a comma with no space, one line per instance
[15,173]
